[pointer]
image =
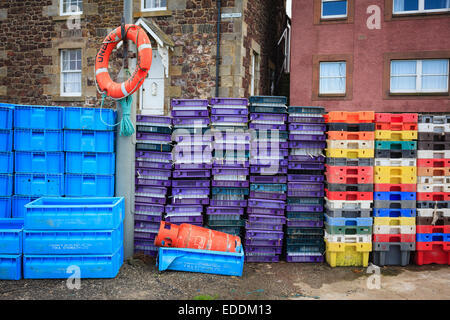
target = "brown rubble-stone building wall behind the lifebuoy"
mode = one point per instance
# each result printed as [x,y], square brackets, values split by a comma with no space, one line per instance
[34,32]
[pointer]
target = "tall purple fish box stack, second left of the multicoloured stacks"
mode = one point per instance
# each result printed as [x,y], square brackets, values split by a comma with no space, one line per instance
[268,182]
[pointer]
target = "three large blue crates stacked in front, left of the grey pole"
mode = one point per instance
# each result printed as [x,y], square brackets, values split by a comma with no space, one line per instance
[79,237]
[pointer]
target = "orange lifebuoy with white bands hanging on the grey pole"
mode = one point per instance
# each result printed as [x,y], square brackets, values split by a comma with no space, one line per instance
[105,83]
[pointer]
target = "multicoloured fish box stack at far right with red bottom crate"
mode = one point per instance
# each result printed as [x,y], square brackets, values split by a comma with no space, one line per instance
[433,190]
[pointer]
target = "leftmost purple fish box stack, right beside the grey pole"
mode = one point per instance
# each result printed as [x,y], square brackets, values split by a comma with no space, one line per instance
[153,179]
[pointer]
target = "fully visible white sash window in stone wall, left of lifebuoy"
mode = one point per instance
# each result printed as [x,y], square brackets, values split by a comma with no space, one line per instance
[71,73]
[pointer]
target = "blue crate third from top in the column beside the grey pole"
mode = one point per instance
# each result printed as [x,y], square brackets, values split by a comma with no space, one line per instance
[90,163]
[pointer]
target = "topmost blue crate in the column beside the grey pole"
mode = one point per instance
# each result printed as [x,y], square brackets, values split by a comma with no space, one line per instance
[89,119]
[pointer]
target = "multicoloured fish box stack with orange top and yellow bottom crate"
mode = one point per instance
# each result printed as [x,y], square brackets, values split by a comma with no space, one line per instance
[349,190]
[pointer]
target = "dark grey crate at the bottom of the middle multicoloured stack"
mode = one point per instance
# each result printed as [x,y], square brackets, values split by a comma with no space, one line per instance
[392,253]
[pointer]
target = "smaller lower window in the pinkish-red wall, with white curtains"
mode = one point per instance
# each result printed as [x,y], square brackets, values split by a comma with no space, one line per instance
[333,77]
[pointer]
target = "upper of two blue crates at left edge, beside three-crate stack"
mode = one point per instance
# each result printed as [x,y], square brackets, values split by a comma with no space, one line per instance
[11,236]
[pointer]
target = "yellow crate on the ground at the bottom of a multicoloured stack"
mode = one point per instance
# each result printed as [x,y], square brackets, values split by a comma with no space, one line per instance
[348,254]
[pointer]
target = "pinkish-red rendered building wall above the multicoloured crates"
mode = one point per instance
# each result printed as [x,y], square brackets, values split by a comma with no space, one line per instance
[367,52]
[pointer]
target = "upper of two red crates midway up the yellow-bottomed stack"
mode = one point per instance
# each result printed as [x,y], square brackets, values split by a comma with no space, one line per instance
[349,175]
